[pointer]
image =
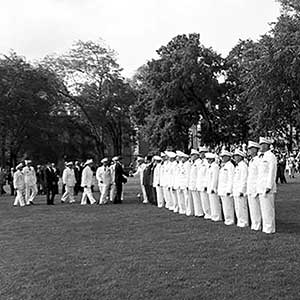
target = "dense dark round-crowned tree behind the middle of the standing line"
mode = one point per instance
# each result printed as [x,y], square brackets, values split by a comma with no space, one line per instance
[176,91]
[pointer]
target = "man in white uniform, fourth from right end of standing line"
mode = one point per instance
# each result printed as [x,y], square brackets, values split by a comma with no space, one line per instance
[225,186]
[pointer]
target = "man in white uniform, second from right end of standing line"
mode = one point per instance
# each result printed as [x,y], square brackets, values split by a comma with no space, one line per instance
[253,197]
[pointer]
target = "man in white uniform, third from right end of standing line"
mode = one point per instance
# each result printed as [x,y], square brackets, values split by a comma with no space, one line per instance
[240,188]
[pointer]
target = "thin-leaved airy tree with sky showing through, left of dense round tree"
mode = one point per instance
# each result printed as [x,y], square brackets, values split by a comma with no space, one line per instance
[101,97]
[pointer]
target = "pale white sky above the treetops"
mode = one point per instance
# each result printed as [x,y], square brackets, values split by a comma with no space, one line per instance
[134,28]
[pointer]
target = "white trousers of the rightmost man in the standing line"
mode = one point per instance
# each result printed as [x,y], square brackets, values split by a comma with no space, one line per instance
[267,205]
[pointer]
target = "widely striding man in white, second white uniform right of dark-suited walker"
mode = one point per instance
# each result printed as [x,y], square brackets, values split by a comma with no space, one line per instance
[86,183]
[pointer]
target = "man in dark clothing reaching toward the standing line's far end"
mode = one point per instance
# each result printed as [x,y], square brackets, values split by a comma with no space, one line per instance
[119,178]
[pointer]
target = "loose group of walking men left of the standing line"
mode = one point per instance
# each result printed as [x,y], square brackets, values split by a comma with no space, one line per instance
[110,180]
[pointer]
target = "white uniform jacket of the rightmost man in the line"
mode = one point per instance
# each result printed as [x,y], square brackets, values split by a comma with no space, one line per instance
[267,168]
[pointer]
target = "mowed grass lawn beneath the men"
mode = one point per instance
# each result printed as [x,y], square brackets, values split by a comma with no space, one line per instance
[136,251]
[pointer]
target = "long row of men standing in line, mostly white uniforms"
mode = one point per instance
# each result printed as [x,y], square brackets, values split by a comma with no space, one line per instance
[228,186]
